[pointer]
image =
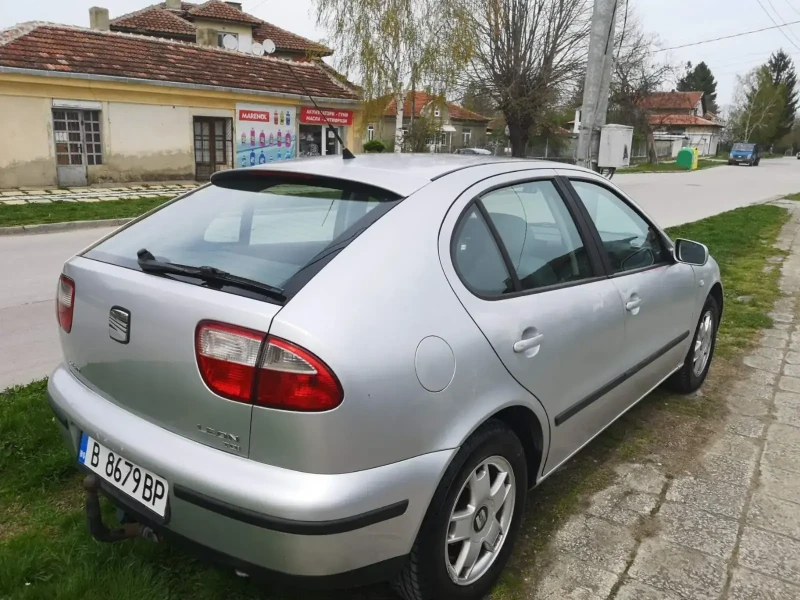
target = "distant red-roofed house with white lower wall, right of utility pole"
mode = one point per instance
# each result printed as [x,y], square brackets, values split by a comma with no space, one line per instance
[683,115]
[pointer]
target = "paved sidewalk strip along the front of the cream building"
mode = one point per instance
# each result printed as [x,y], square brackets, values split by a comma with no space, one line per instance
[93,194]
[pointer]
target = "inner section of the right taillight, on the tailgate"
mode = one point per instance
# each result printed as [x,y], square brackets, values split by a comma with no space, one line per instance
[227,357]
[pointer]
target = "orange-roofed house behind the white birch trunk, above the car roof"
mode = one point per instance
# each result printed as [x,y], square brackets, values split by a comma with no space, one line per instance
[456,126]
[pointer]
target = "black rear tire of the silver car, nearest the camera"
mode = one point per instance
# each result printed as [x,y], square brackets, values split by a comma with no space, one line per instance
[427,575]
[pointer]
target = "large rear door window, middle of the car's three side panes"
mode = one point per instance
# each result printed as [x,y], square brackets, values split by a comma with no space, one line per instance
[539,234]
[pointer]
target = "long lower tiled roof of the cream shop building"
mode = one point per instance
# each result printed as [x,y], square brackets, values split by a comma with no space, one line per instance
[66,49]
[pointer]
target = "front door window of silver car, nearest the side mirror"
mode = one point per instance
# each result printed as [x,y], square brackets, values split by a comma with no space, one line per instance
[629,241]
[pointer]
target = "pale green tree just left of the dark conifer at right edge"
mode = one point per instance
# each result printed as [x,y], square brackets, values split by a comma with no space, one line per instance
[758,107]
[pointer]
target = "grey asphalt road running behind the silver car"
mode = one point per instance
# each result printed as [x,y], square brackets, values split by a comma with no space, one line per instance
[30,264]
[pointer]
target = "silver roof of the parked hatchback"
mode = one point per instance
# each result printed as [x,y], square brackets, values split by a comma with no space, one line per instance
[402,174]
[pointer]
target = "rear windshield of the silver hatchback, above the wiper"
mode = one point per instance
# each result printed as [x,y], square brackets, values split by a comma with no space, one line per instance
[276,229]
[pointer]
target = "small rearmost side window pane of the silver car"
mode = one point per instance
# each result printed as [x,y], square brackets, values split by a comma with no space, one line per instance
[477,258]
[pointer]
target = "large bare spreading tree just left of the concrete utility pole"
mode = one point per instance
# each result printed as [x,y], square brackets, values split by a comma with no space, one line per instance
[526,55]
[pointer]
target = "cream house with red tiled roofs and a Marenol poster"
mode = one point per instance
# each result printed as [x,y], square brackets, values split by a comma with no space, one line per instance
[170,92]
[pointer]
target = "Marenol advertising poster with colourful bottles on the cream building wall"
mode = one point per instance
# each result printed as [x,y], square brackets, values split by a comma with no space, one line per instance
[264,134]
